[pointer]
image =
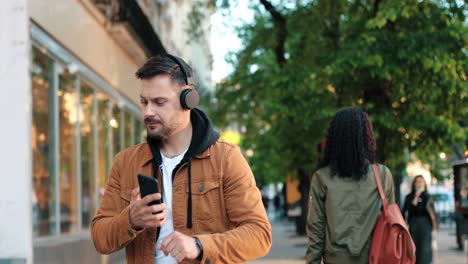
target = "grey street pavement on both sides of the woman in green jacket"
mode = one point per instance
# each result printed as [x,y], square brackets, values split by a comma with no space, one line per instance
[288,248]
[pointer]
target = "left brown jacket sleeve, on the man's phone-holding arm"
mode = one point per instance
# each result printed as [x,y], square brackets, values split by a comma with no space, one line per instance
[110,227]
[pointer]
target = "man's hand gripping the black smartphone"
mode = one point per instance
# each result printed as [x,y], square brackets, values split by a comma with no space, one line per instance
[144,216]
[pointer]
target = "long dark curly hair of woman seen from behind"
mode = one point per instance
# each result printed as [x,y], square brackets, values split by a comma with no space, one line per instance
[350,145]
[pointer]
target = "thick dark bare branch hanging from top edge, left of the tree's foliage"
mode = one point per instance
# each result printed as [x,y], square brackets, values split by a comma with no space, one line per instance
[280,22]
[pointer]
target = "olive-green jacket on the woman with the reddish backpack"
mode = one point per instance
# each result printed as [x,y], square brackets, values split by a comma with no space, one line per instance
[342,215]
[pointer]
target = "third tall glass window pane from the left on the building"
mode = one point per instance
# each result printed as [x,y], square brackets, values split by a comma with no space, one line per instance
[86,115]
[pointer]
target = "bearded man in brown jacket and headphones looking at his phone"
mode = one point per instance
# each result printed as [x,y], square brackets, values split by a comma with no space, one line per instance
[211,210]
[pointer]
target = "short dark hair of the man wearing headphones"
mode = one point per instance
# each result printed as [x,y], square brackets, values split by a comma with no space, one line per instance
[161,64]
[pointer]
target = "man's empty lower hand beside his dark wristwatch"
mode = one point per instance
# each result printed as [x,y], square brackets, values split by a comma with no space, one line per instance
[179,246]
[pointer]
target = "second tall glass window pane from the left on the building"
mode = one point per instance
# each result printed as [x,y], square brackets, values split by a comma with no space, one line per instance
[68,117]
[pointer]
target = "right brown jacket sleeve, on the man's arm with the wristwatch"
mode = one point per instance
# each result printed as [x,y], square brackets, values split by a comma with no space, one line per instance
[251,236]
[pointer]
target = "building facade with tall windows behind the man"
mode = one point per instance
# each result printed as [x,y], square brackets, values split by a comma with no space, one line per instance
[82,108]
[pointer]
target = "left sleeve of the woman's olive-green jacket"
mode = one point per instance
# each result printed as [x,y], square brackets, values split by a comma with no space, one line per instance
[316,221]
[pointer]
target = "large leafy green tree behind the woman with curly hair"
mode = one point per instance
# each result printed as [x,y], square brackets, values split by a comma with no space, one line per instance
[404,62]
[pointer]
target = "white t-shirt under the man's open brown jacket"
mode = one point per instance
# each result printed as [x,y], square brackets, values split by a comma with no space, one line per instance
[168,165]
